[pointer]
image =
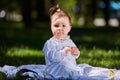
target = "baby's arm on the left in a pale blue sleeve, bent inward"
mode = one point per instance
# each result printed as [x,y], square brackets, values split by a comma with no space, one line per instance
[52,53]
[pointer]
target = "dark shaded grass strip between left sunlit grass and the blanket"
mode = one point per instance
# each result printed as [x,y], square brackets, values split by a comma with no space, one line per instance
[18,61]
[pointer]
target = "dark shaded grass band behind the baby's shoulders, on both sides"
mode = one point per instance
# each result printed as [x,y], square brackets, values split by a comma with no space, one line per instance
[105,38]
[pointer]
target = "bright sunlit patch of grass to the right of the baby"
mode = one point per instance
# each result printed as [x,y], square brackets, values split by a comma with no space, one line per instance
[100,57]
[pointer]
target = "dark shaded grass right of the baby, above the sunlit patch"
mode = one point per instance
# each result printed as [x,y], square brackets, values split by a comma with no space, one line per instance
[104,38]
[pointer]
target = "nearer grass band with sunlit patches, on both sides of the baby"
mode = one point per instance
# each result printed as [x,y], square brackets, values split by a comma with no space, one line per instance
[95,57]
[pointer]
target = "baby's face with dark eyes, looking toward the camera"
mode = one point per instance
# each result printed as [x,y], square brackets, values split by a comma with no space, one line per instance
[60,27]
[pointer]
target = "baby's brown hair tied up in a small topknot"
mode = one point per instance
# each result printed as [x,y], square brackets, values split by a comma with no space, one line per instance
[55,10]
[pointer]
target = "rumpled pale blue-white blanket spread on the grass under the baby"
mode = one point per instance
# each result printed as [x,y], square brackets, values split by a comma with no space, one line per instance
[34,72]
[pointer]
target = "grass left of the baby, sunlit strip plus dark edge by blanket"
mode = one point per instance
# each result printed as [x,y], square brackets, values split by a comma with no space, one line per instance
[17,56]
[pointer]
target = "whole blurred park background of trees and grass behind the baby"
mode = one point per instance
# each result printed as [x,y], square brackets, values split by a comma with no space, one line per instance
[25,26]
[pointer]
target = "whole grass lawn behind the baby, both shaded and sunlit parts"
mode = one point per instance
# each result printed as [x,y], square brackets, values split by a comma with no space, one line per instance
[99,46]
